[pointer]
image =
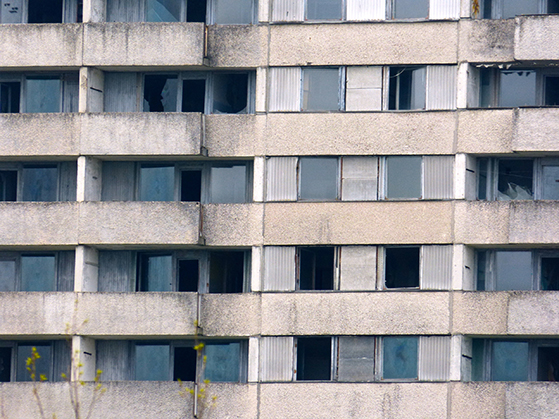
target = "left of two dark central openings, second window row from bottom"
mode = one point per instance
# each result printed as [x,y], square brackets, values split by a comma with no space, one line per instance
[316,271]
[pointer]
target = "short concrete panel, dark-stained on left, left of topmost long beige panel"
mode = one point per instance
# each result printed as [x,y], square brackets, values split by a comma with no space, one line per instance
[239,46]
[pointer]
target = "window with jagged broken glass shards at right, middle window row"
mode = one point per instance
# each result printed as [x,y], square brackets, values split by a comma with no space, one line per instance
[515,179]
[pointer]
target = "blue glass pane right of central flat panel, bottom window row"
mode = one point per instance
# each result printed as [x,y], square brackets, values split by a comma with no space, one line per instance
[399,357]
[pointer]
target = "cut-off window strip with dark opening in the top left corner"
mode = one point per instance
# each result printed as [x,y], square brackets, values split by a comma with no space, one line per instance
[41,11]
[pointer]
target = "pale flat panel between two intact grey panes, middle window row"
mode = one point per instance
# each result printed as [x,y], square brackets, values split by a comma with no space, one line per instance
[359,178]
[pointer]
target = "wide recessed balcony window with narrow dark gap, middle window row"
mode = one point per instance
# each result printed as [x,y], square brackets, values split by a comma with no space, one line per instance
[209,182]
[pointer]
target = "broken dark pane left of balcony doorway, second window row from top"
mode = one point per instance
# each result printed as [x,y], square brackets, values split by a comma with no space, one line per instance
[160,93]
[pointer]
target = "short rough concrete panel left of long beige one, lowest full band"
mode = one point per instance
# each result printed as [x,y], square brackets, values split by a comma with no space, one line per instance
[230,314]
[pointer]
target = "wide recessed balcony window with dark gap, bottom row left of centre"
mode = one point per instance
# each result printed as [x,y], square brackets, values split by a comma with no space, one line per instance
[226,360]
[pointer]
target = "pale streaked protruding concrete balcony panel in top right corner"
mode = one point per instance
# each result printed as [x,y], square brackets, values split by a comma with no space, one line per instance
[536,38]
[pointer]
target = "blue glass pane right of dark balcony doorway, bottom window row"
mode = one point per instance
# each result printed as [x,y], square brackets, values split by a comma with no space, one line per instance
[222,362]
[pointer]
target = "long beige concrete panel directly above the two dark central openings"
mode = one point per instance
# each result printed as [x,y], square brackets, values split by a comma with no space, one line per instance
[426,222]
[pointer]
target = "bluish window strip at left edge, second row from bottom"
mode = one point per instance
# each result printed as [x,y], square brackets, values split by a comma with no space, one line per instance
[53,271]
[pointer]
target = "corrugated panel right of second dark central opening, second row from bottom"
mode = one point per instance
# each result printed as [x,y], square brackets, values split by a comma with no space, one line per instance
[436,267]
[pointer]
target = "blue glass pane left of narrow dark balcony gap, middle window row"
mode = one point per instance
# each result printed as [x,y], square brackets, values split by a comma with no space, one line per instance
[157,183]
